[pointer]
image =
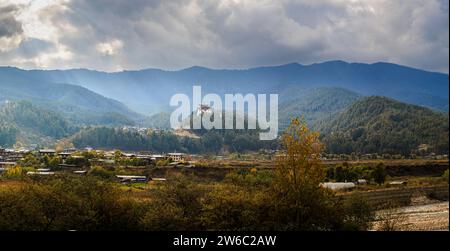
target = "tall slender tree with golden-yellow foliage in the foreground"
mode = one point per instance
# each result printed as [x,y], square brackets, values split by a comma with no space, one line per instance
[300,202]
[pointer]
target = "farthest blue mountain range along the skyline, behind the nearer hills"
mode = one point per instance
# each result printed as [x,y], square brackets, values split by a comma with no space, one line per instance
[149,91]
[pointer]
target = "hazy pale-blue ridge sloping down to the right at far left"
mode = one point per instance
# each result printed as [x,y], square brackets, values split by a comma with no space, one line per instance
[75,102]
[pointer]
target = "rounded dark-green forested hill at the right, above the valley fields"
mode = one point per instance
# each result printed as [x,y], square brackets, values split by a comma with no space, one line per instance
[382,125]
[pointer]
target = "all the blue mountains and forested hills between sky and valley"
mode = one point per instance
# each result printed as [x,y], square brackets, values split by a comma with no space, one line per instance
[383,108]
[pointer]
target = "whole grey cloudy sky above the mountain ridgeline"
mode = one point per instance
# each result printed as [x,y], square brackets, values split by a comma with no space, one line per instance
[113,35]
